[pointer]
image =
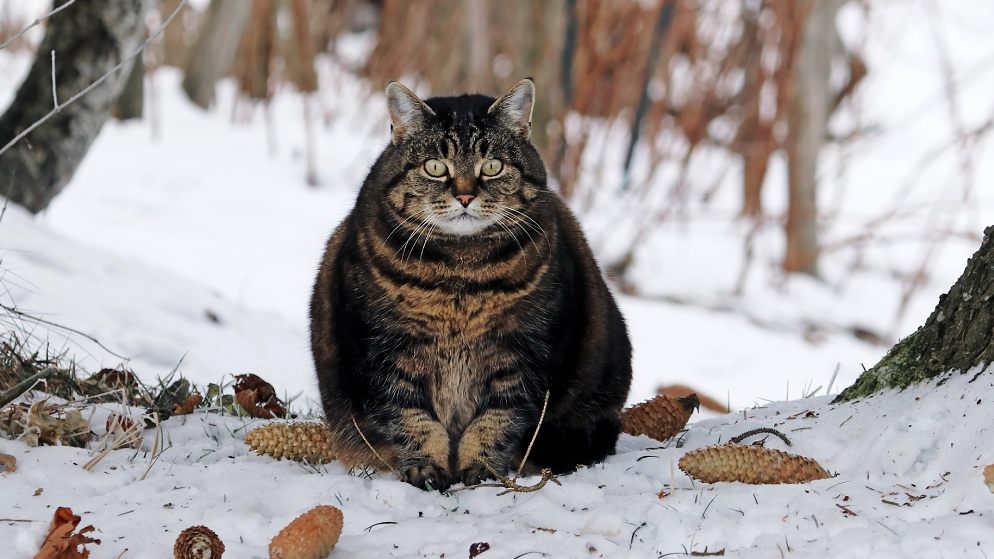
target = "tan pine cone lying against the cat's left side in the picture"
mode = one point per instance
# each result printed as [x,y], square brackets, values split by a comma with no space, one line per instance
[303,442]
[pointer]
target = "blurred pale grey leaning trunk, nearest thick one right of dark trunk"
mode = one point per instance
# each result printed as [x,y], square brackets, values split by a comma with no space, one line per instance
[210,58]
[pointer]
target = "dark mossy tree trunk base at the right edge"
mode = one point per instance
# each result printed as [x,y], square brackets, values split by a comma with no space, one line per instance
[958,336]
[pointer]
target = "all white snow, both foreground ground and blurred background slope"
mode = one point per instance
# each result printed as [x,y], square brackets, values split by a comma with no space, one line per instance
[191,214]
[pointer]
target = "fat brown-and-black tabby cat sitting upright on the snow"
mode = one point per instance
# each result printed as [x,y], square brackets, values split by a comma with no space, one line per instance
[455,295]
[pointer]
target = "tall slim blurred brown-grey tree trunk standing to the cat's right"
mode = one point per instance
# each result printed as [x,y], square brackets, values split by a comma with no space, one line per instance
[811,101]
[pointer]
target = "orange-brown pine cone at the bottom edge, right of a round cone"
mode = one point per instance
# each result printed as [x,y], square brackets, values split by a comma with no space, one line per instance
[311,535]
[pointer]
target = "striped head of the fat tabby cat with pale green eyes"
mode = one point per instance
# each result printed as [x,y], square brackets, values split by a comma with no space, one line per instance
[463,164]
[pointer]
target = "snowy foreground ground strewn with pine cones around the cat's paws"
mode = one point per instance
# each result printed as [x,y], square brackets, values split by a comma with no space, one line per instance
[906,485]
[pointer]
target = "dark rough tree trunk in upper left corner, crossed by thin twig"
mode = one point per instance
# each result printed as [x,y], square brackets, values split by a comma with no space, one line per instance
[89,39]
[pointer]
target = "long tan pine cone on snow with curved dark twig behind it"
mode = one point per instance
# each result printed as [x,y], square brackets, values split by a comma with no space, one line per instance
[749,464]
